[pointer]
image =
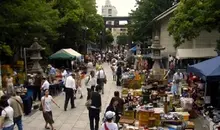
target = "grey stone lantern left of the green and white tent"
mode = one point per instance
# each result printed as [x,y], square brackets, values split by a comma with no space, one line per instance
[35,50]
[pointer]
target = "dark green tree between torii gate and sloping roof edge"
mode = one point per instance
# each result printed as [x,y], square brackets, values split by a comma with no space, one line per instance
[146,11]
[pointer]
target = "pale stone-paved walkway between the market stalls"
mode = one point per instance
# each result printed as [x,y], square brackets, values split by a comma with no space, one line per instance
[72,119]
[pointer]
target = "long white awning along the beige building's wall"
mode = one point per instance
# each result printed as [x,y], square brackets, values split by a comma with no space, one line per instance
[196,53]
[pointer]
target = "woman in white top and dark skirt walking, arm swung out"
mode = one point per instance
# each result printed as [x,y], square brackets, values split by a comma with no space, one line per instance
[46,102]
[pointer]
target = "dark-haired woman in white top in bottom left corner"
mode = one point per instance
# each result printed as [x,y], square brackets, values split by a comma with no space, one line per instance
[7,113]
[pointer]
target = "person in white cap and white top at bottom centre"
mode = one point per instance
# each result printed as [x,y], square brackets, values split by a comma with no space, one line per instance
[109,124]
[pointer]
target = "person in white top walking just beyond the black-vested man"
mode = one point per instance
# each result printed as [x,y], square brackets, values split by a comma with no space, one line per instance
[101,78]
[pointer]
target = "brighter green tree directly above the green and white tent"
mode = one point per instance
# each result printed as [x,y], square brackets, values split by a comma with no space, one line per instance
[74,16]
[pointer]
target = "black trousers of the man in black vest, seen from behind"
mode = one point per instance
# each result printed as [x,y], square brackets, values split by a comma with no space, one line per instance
[94,115]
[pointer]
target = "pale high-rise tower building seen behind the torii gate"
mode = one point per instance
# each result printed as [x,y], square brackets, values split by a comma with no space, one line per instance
[108,10]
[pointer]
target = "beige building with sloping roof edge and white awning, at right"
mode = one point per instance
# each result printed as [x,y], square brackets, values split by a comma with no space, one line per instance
[201,47]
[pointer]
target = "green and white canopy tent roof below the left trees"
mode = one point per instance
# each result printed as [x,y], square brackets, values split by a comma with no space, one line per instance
[65,54]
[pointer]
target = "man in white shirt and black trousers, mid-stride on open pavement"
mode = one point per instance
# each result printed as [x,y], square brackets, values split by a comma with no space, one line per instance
[70,87]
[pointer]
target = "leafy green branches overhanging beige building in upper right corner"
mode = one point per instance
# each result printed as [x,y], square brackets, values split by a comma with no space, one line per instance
[193,16]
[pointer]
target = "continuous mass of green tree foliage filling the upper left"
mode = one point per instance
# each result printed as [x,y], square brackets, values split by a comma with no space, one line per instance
[57,23]
